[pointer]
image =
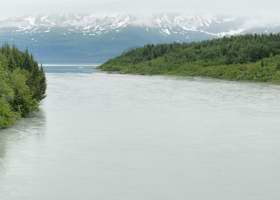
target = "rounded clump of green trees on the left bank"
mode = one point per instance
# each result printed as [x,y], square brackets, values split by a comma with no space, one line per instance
[22,85]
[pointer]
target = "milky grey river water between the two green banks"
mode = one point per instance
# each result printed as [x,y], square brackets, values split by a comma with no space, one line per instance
[105,136]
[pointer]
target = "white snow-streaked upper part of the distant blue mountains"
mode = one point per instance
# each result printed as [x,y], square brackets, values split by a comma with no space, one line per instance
[100,24]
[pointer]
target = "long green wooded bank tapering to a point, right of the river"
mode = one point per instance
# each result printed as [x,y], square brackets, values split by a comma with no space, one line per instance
[248,58]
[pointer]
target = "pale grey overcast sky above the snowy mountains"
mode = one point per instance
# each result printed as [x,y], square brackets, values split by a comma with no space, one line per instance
[9,8]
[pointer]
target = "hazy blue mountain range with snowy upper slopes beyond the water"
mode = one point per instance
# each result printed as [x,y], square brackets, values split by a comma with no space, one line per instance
[96,38]
